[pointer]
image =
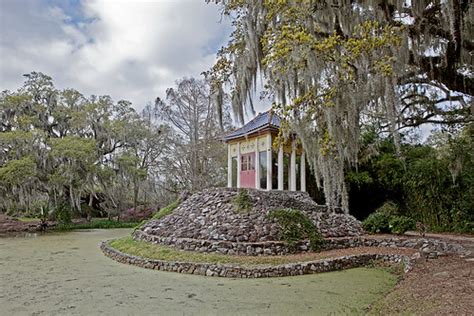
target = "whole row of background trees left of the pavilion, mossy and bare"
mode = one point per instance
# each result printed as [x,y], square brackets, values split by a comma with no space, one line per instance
[63,150]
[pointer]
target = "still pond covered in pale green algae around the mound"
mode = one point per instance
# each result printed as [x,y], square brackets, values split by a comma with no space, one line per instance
[67,274]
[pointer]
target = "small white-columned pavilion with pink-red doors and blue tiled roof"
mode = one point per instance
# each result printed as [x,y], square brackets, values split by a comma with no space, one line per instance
[254,162]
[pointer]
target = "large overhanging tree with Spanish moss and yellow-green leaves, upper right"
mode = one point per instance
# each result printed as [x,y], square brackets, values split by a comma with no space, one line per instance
[333,67]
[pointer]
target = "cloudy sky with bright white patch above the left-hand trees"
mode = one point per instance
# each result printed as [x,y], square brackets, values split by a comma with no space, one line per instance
[130,50]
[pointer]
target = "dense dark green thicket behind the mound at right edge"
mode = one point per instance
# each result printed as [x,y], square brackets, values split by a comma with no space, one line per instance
[432,183]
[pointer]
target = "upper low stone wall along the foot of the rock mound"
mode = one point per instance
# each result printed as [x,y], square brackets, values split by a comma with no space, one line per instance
[271,248]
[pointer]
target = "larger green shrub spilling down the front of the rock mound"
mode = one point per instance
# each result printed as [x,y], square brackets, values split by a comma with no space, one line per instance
[296,226]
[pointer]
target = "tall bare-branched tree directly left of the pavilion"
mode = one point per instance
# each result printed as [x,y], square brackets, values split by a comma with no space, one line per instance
[199,154]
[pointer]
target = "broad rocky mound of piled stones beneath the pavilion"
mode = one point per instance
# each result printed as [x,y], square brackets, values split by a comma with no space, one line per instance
[212,215]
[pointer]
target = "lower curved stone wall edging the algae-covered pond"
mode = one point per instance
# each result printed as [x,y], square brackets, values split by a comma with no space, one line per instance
[235,271]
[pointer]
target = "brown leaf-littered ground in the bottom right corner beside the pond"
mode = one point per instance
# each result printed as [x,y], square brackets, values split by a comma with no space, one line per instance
[444,286]
